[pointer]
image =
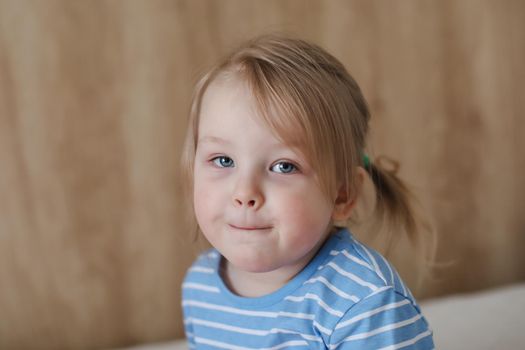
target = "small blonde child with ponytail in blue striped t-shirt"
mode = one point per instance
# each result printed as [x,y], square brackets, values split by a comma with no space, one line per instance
[275,159]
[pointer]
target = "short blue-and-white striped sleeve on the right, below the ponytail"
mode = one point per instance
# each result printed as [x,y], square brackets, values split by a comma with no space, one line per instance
[384,320]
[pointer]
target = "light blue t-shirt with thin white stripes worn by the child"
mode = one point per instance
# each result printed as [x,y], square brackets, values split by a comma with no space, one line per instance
[347,297]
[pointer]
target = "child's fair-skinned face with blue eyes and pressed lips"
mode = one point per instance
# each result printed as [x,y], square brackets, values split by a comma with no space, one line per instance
[256,200]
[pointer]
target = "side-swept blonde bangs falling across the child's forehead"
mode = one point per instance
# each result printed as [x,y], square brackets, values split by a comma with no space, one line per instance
[291,109]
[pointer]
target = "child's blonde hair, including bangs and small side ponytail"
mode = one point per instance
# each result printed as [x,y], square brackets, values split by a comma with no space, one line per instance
[310,101]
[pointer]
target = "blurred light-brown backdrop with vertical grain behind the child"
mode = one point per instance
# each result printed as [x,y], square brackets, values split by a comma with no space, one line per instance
[94,98]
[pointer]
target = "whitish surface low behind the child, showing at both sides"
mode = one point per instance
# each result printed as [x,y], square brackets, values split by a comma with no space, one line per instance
[488,320]
